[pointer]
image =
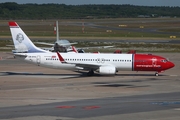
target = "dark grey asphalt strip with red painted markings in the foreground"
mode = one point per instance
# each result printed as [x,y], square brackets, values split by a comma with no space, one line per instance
[97,107]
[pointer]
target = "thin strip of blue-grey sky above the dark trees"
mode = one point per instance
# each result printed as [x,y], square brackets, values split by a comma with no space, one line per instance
[81,2]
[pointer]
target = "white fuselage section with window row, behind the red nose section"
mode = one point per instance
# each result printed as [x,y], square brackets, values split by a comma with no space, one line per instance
[120,61]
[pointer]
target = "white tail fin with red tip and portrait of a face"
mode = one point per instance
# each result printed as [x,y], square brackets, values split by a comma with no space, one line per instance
[21,41]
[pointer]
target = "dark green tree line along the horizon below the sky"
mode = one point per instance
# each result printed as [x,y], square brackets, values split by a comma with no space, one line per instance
[12,10]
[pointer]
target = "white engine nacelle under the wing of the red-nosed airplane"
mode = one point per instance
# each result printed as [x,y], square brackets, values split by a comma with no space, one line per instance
[107,70]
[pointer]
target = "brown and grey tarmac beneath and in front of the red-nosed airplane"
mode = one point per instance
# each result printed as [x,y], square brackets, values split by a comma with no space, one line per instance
[31,92]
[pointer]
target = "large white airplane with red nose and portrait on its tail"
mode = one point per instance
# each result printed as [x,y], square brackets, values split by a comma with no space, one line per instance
[103,63]
